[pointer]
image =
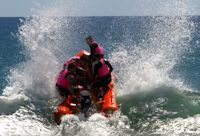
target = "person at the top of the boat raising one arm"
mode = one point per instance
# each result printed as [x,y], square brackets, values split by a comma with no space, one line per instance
[94,47]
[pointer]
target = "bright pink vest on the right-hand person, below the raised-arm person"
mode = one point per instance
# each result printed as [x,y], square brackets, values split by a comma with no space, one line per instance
[104,70]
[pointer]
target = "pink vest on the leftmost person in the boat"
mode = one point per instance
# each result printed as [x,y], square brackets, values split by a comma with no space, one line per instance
[61,80]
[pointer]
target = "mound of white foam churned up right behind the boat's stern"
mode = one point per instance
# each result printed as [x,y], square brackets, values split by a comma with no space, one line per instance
[95,125]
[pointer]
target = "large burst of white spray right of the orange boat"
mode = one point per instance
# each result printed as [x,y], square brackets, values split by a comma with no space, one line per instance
[150,64]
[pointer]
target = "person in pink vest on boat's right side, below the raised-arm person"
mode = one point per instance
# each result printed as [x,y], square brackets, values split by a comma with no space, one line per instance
[101,69]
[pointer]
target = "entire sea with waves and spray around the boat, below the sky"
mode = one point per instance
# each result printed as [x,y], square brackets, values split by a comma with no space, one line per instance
[156,61]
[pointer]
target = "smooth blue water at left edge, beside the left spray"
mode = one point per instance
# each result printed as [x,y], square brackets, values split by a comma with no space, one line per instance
[10,46]
